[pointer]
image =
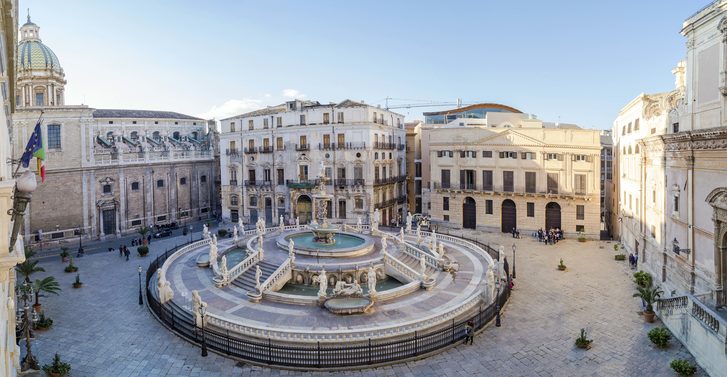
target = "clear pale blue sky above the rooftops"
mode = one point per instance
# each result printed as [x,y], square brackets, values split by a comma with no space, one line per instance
[577,61]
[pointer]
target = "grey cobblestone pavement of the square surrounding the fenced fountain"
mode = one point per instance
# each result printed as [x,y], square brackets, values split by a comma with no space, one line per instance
[102,331]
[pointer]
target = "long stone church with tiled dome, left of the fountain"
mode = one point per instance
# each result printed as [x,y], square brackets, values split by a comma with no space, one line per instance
[109,172]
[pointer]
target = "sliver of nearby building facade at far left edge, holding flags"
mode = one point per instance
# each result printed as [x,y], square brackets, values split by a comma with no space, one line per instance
[10,255]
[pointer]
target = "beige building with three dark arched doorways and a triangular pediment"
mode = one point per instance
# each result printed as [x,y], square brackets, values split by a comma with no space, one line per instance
[509,170]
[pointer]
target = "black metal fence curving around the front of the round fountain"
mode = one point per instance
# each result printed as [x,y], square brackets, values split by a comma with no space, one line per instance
[317,355]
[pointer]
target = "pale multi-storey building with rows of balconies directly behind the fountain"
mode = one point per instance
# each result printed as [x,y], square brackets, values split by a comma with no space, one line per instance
[273,157]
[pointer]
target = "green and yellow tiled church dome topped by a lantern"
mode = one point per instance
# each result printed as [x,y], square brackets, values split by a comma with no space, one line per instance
[33,54]
